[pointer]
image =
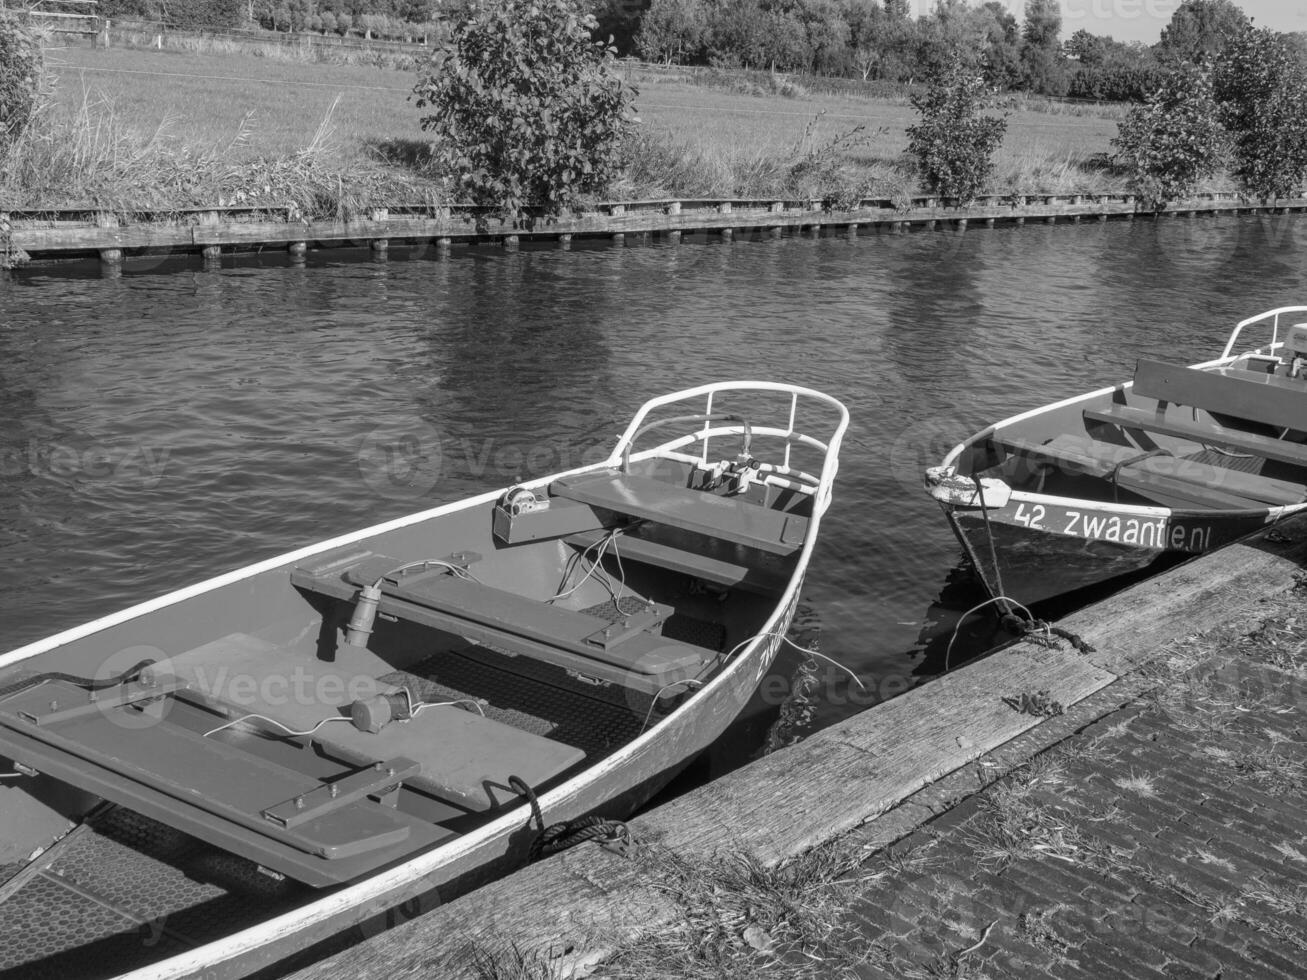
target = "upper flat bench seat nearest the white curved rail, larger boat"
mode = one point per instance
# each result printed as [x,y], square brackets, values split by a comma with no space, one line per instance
[726,518]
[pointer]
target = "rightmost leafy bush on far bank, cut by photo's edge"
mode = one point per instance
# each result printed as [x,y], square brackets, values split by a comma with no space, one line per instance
[1262,88]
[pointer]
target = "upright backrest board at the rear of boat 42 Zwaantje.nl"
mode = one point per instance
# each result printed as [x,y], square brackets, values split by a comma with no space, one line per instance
[1258,398]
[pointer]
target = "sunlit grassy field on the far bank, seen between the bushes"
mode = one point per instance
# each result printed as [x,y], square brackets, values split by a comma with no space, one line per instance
[146,129]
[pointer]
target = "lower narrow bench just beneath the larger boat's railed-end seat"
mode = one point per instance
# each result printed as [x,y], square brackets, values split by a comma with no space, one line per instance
[712,560]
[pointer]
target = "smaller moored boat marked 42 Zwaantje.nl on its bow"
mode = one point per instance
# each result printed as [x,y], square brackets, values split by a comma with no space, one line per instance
[1178,462]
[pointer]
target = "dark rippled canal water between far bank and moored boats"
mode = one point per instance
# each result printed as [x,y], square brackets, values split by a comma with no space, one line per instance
[173,424]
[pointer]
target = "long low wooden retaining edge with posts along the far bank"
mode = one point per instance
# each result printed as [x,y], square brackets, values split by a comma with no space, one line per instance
[42,236]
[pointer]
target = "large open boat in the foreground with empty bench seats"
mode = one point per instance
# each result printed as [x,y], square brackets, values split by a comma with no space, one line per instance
[210,782]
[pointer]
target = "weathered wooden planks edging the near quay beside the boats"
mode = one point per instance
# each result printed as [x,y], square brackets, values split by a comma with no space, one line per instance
[882,773]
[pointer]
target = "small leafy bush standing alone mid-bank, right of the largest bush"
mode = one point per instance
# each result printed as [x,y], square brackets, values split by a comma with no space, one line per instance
[953,143]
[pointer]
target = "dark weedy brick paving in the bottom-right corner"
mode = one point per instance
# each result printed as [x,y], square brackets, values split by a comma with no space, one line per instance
[1123,919]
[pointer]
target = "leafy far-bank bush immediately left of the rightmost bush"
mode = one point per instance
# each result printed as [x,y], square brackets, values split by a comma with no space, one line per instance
[1174,139]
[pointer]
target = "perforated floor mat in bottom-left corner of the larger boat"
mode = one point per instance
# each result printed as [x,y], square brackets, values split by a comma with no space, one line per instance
[122,892]
